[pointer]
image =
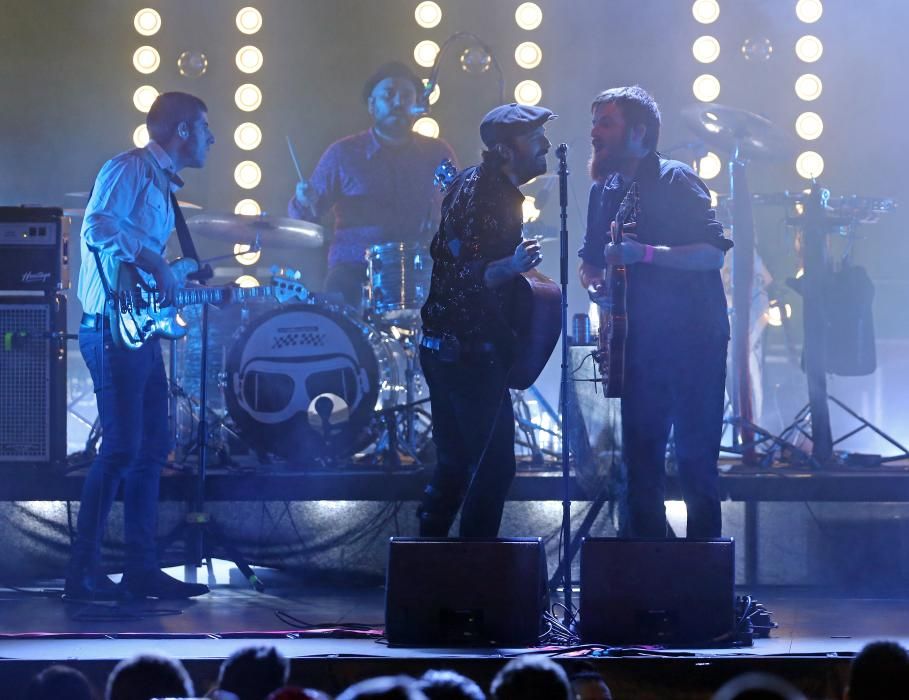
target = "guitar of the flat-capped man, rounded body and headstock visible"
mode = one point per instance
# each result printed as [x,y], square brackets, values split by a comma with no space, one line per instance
[534,316]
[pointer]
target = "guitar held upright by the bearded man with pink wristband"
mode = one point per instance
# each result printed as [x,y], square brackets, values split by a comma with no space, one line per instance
[610,352]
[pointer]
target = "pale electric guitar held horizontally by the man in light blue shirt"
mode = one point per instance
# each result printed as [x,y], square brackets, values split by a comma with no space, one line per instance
[136,315]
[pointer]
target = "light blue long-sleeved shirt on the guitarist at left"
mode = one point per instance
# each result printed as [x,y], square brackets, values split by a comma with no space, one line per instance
[129,209]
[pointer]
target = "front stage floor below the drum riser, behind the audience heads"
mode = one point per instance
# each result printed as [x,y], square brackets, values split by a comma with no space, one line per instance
[337,640]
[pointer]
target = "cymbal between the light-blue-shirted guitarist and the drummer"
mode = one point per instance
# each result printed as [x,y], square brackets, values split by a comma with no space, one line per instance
[272,230]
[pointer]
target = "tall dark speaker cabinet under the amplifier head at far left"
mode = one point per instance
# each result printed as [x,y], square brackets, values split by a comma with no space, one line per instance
[32,379]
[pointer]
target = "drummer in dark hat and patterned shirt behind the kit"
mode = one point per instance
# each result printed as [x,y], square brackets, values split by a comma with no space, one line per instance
[379,182]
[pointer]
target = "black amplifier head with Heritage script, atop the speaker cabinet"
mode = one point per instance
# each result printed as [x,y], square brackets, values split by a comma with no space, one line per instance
[34,249]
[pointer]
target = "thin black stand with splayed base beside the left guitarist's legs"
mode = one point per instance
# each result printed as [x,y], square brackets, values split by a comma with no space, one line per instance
[199,531]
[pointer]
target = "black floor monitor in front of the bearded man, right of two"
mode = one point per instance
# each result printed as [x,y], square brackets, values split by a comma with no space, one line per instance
[670,592]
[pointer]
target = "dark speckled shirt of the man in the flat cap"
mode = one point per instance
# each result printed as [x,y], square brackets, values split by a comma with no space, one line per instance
[481,222]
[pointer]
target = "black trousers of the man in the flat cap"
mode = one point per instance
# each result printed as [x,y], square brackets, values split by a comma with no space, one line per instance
[471,411]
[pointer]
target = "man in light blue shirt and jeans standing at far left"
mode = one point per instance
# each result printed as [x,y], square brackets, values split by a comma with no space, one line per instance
[128,219]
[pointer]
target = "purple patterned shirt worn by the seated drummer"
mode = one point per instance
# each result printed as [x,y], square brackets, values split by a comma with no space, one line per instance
[378,192]
